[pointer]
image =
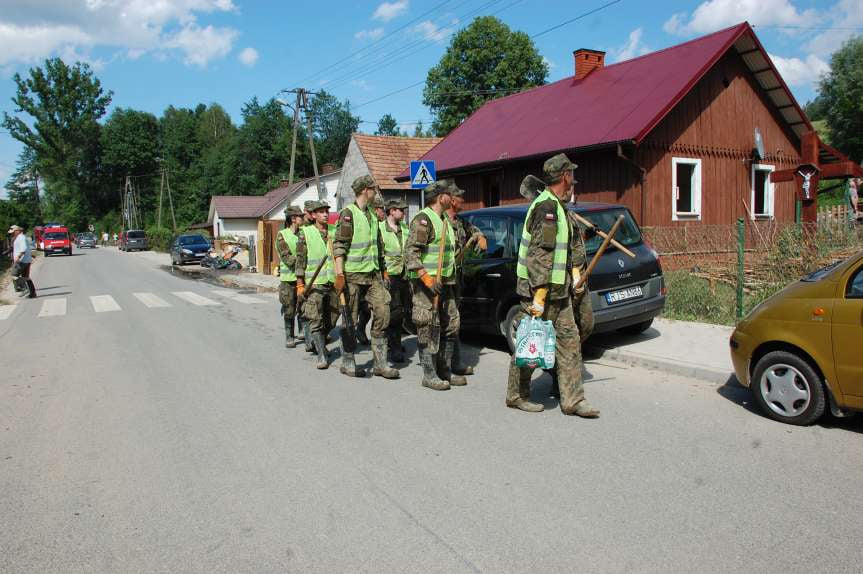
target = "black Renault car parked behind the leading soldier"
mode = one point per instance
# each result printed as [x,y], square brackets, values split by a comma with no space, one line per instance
[626,293]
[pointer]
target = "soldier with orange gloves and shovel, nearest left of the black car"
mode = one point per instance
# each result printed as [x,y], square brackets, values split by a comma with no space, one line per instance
[421,256]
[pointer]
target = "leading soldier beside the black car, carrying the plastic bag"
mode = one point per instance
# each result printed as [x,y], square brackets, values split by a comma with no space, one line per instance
[546,282]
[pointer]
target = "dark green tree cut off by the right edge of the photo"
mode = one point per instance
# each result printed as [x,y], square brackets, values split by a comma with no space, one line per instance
[842,92]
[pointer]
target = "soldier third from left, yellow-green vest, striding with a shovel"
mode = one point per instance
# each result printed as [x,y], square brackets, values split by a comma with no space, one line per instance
[360,272]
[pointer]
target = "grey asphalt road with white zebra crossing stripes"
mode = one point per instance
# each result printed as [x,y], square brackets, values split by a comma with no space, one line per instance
[160,433]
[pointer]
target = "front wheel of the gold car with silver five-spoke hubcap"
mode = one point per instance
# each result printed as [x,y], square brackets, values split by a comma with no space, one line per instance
[788,389]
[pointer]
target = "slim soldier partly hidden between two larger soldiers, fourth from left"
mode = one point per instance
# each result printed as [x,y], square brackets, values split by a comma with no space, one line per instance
[394,234]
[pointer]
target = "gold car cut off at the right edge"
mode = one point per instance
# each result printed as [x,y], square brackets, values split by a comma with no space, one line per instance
[803,348]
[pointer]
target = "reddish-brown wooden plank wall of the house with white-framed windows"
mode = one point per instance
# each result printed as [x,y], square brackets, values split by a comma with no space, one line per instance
[715,123]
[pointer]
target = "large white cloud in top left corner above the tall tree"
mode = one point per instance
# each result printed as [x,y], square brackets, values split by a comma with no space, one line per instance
[30,32]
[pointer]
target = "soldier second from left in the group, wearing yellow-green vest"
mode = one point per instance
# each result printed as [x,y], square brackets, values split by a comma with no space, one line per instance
[320,308]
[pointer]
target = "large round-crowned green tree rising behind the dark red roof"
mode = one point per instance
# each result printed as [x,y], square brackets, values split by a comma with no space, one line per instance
[483,61]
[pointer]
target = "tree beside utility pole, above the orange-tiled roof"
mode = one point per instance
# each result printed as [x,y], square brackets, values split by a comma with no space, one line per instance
[333,125]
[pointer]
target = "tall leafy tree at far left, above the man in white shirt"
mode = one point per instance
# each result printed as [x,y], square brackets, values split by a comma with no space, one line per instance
[61,106]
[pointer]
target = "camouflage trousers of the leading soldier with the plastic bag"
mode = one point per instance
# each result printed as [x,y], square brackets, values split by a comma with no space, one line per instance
[567,357]
